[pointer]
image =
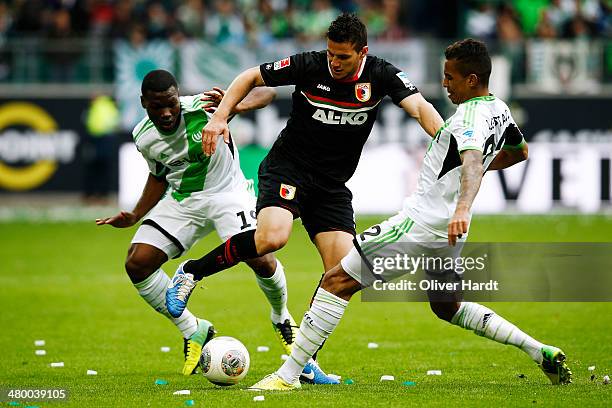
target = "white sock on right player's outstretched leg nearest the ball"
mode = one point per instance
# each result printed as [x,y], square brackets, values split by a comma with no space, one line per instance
[318,323]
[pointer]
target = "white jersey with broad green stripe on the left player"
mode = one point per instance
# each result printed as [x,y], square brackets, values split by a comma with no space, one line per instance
[178,156]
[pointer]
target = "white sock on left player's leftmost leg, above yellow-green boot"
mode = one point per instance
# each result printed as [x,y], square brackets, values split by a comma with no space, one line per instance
[153,291]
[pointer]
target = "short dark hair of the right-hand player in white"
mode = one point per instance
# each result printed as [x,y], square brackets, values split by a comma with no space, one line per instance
[473,58]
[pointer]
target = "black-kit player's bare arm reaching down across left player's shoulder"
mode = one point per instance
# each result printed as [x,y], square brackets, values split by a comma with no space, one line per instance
[236,92]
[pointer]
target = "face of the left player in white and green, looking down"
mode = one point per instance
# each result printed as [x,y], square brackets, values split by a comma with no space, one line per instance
[163,108]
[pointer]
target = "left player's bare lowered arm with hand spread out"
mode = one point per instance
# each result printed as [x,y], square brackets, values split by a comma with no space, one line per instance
[153,191]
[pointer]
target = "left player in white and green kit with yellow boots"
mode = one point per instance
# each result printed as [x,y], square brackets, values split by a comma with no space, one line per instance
[187,196]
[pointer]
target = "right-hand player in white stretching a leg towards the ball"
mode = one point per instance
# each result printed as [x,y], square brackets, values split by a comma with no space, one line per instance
[480,136]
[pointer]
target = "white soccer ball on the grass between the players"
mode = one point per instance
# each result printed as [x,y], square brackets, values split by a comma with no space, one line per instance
[224,361]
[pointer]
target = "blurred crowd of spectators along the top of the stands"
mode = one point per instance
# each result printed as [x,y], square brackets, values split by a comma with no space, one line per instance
[262,22]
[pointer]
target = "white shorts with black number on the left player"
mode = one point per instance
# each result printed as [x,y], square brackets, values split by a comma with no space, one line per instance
[174,227]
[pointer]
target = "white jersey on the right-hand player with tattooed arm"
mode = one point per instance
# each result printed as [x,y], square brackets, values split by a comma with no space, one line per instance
[482,123]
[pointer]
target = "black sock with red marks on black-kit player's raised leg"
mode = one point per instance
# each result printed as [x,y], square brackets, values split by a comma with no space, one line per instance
[236,249]
